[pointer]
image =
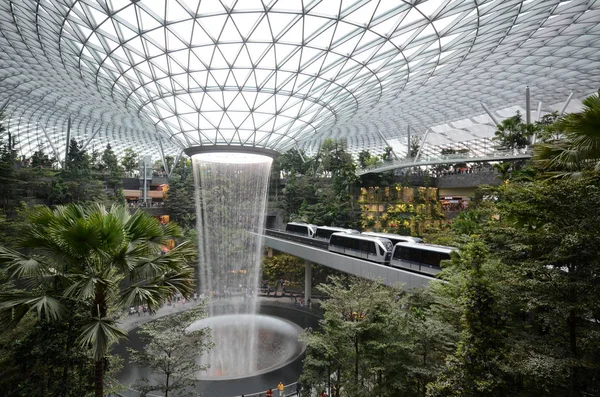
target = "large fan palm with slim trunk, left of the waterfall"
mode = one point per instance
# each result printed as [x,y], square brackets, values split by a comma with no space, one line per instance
[97,258]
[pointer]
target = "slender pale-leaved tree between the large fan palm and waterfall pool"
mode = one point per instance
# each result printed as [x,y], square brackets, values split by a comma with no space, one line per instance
[170,352]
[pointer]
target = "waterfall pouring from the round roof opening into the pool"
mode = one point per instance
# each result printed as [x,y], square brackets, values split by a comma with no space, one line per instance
[231,195]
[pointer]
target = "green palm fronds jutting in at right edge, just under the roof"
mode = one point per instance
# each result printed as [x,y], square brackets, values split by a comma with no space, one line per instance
[579,149]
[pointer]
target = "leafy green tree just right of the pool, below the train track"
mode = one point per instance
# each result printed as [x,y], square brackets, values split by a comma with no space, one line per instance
[362,341]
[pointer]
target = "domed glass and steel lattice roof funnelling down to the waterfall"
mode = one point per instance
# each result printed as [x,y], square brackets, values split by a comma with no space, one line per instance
[279,74]
